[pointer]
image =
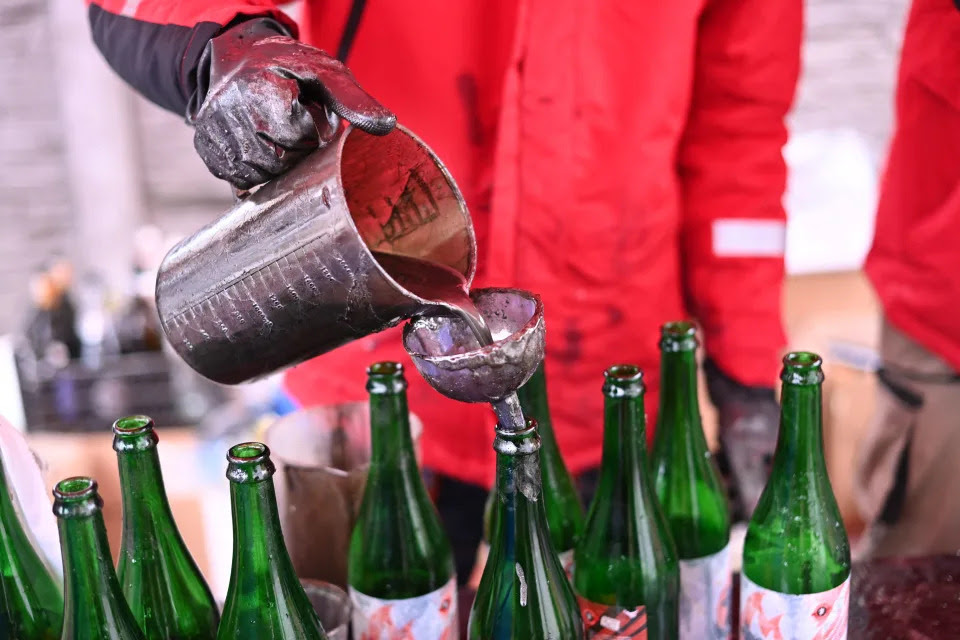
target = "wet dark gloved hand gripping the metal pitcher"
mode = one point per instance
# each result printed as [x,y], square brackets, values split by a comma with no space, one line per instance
[265,100]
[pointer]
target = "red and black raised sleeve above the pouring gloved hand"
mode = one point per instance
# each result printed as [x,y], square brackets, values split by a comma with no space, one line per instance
[155,45]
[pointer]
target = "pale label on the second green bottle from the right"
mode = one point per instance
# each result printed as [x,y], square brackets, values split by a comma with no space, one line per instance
[705,592]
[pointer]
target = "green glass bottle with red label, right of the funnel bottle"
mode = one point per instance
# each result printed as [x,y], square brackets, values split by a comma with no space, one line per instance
[625,569]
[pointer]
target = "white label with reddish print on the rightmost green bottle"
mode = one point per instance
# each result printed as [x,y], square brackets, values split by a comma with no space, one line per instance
[770,615]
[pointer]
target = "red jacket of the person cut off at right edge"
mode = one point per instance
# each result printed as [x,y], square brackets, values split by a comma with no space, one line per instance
[914,264]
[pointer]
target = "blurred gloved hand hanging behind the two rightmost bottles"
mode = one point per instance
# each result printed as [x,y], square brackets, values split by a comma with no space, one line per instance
[749,420]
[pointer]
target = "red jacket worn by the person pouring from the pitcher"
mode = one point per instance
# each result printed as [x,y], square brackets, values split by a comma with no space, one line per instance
[621,159]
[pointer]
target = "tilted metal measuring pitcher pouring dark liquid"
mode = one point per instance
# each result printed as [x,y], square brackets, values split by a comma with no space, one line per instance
[288,273]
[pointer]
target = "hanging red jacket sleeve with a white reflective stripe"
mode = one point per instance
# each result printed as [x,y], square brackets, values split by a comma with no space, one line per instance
[733,176]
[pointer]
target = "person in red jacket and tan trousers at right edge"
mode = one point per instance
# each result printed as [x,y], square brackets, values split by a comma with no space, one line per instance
[907,469]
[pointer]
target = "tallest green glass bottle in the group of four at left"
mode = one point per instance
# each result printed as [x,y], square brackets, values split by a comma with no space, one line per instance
[163,586]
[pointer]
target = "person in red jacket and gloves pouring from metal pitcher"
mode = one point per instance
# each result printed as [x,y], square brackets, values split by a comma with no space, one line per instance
[621,159]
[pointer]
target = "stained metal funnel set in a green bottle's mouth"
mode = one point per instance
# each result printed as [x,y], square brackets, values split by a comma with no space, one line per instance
[450,358]
